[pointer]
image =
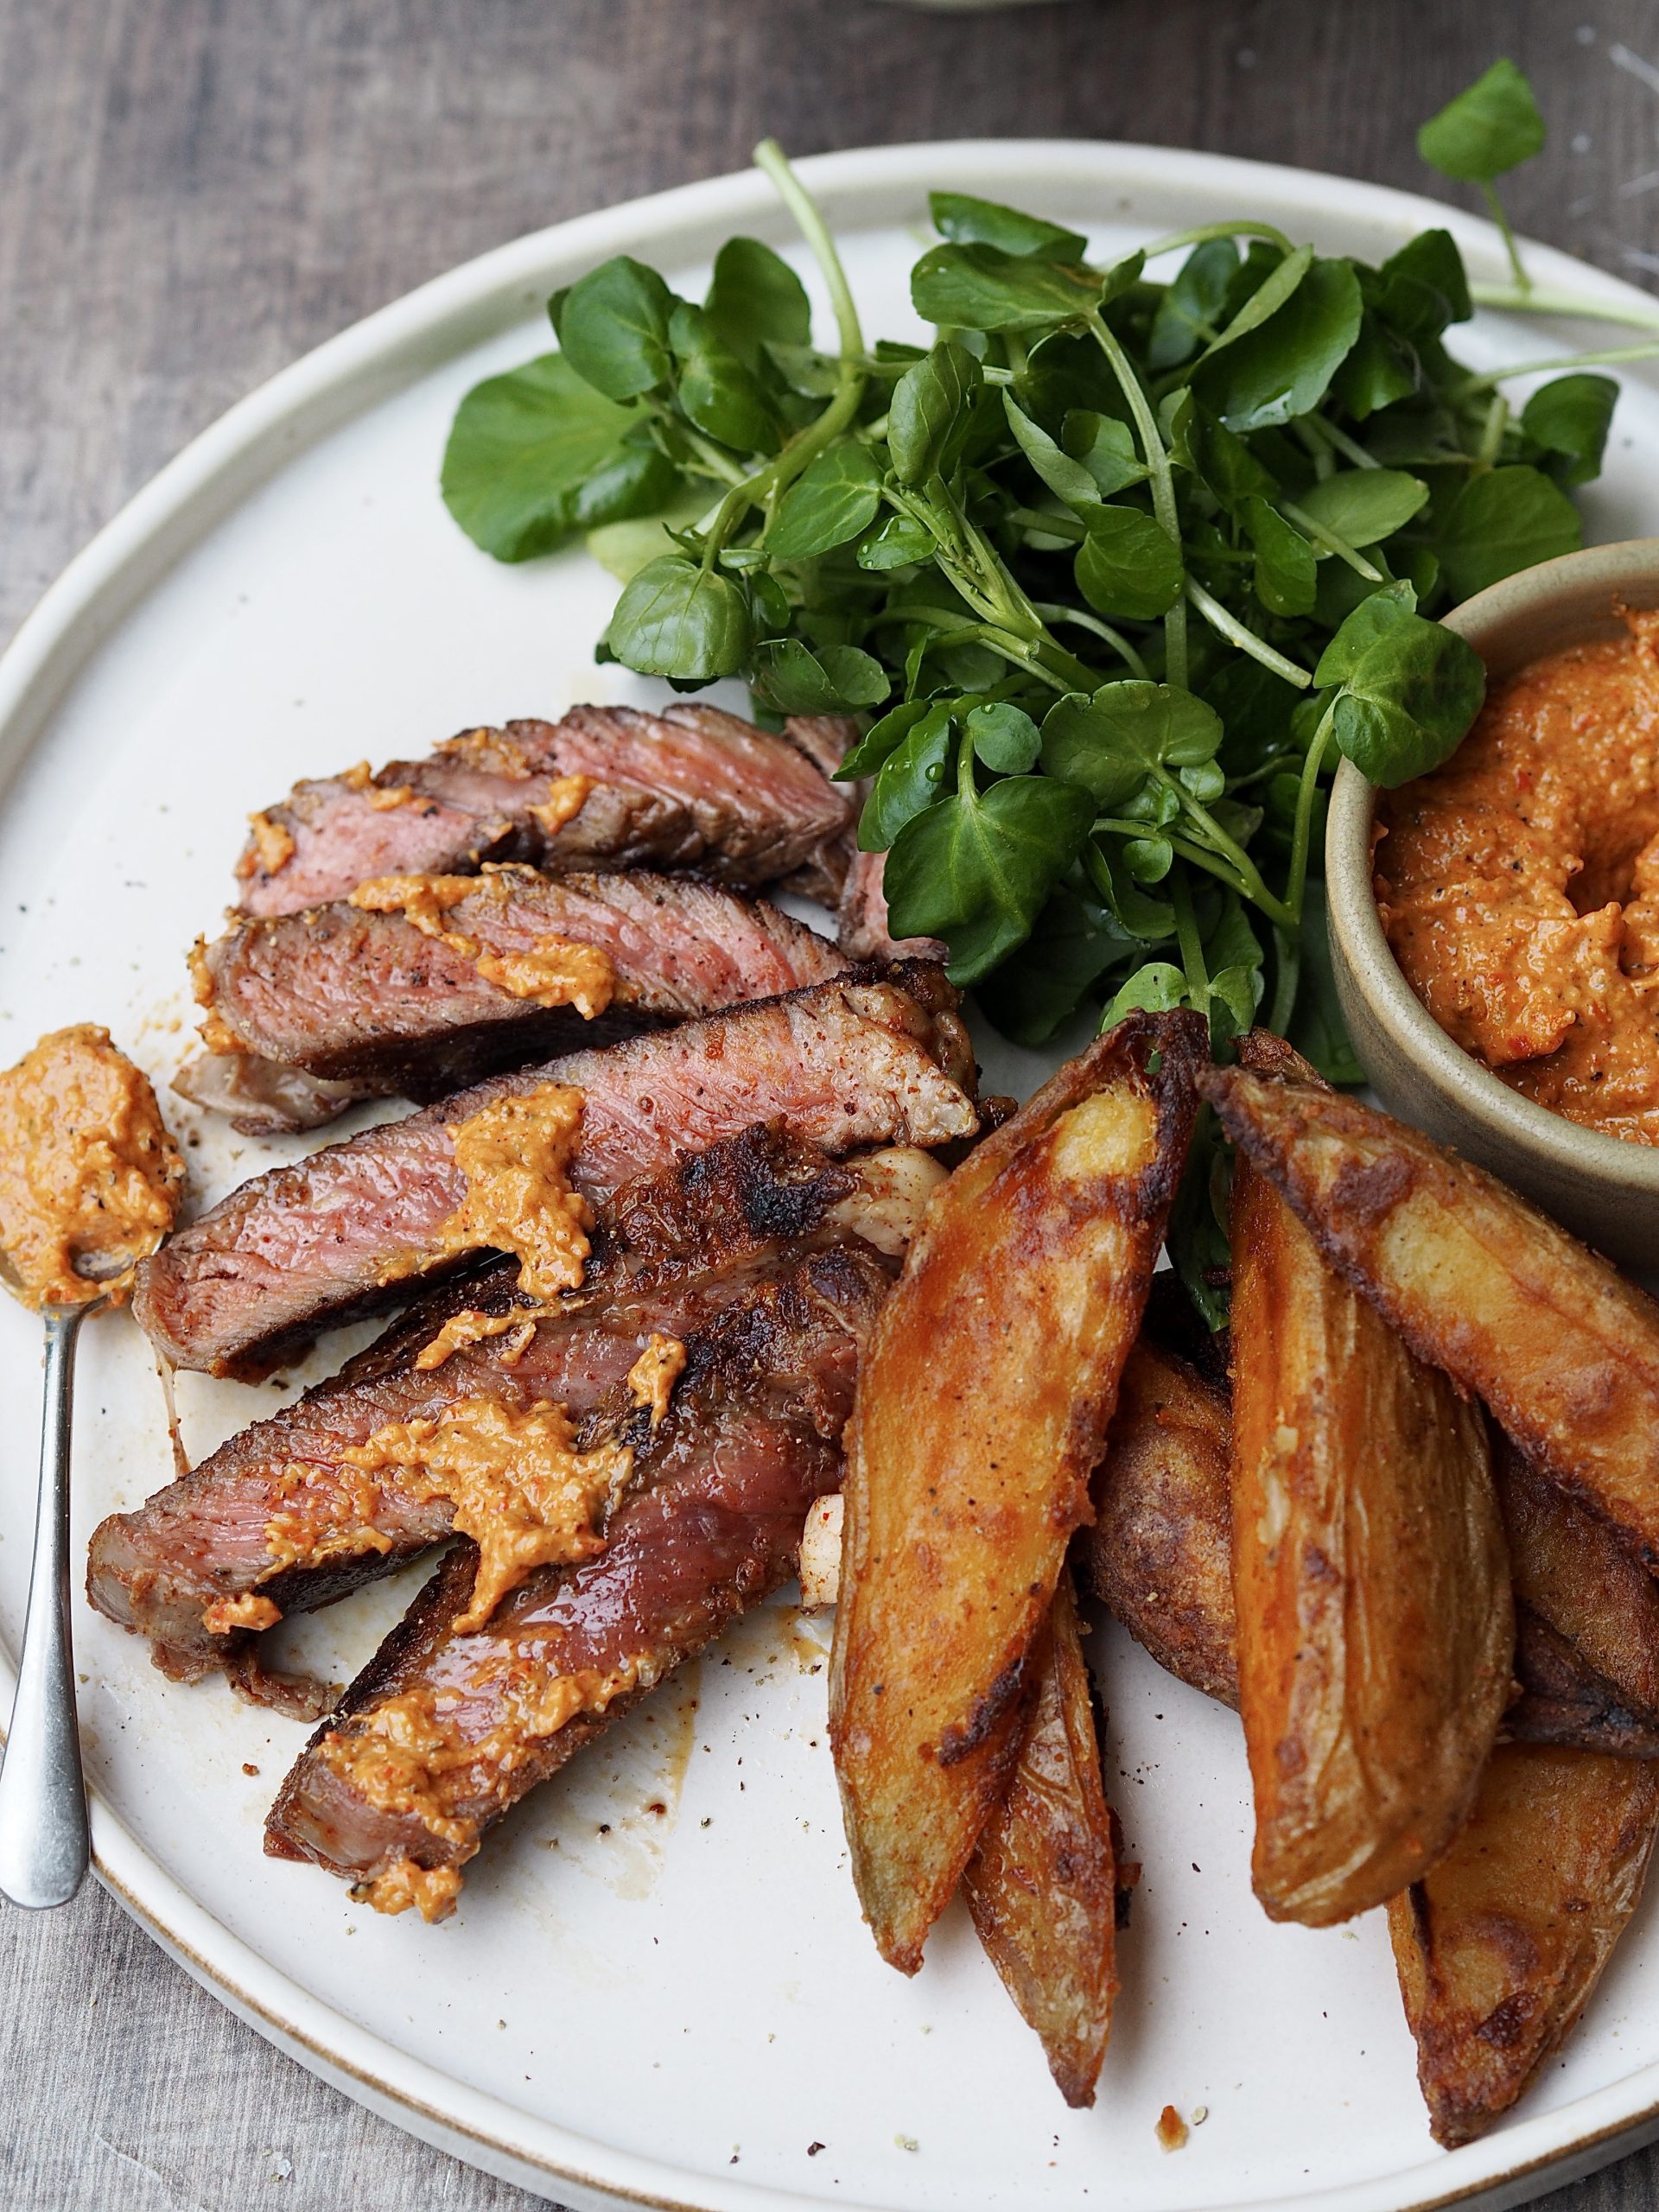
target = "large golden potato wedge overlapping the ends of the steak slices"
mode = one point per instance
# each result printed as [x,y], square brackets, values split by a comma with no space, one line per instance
[983,1401]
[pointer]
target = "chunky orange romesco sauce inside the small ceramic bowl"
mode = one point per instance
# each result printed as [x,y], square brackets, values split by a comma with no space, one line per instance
[1519,886]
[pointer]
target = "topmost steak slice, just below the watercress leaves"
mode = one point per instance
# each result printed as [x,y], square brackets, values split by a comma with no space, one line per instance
[685,789]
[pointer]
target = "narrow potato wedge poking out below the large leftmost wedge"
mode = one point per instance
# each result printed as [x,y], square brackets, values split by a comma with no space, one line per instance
[1043,1879]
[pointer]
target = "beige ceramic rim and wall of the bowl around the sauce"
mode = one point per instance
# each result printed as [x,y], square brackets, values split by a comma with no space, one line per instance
[1600,1187]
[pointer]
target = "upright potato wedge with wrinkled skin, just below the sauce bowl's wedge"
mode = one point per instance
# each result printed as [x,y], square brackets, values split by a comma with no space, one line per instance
[1370,1578]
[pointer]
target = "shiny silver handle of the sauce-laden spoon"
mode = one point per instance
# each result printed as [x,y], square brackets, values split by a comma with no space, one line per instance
[43,1797]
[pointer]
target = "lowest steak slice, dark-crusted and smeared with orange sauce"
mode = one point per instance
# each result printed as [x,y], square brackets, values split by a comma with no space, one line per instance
[751,1441]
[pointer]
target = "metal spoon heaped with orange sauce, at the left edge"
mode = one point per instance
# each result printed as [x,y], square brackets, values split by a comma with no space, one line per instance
[90,1187]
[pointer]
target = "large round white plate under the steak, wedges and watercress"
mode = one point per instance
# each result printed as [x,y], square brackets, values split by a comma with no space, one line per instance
[667,2007]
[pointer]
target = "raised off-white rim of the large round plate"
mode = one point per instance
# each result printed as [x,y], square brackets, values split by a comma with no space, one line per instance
[317,395]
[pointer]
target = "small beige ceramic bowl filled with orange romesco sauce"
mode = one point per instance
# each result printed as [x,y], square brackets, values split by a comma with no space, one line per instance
[1496,924]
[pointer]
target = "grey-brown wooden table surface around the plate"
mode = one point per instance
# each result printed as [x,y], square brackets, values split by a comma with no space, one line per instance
[198,191]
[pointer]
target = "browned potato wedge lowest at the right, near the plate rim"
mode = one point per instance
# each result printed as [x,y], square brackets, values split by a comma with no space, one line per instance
[1503,1941]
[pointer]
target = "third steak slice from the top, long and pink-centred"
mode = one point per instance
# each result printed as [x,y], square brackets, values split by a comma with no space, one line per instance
[877,1058]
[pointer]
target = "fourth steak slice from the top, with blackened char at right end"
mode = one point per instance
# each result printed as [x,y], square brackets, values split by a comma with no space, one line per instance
[669,1255]
